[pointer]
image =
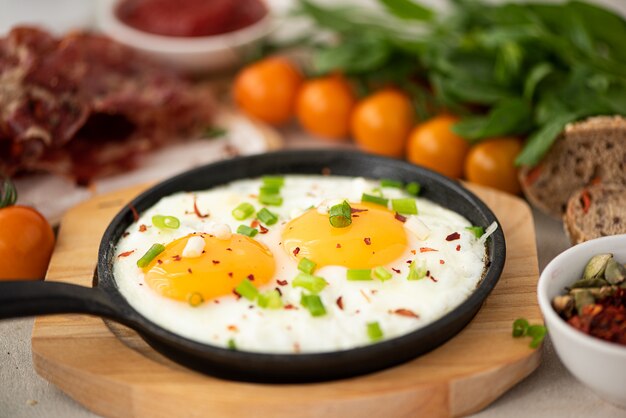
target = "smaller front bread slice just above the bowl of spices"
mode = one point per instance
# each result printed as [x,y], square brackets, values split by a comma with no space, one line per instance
[596,211]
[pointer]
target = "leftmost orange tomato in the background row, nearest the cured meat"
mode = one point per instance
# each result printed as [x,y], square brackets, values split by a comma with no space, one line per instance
[267,90]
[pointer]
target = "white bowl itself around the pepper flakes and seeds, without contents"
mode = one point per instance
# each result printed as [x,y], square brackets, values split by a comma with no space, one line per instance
[598,364]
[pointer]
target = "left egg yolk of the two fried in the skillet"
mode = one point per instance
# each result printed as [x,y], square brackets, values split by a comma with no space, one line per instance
[216,272]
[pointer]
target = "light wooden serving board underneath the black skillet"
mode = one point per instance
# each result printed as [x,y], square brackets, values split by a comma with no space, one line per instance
[114,373]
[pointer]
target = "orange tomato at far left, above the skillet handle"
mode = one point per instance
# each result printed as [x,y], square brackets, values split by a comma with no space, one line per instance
[26,243]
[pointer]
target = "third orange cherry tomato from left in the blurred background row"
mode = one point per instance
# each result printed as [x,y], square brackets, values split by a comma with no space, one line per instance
[381,123]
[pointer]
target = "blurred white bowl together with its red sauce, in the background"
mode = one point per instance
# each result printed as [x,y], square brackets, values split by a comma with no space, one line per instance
[194,36]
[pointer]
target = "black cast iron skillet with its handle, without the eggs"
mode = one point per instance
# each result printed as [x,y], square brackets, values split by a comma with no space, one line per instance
[104,299]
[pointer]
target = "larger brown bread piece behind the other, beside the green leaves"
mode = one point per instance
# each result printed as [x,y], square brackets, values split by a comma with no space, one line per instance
[587,152]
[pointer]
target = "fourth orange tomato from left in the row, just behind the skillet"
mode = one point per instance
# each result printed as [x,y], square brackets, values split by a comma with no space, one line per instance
[434,145]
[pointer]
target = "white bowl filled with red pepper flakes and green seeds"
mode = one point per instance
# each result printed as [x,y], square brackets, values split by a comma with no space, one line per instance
[589,339]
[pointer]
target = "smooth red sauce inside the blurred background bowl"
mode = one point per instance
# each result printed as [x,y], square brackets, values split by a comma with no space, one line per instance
[190,18]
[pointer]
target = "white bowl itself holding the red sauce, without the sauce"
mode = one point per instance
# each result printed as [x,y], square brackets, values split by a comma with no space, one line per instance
[189,54]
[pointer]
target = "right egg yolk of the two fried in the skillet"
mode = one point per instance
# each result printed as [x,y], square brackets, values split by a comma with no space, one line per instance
[374,238]
